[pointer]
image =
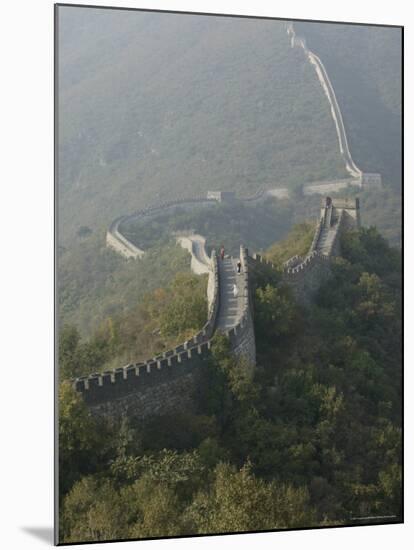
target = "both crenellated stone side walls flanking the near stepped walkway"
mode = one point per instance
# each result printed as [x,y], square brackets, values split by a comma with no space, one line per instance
[170,381]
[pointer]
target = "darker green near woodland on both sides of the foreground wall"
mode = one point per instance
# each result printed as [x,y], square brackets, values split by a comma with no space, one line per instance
[311,437]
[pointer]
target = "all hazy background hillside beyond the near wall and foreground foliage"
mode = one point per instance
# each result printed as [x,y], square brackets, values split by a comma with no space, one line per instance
[154,105]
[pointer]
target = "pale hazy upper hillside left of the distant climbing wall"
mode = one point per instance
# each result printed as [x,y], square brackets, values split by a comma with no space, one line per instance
[153,105]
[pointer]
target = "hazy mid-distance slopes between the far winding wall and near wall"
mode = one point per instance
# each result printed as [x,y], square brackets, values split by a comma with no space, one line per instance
[95,283]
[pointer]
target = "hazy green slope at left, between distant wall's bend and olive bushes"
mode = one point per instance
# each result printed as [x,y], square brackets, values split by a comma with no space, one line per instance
[94,282]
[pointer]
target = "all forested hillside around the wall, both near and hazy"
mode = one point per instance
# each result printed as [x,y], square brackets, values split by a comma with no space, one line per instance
[153,106]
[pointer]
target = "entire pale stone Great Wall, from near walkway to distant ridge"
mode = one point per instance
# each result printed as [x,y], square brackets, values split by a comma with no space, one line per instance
[173,380]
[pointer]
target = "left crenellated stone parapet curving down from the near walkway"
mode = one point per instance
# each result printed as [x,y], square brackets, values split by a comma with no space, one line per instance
[157,384]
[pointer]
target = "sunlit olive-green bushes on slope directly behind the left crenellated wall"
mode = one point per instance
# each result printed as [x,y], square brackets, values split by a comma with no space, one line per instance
[163,319]
